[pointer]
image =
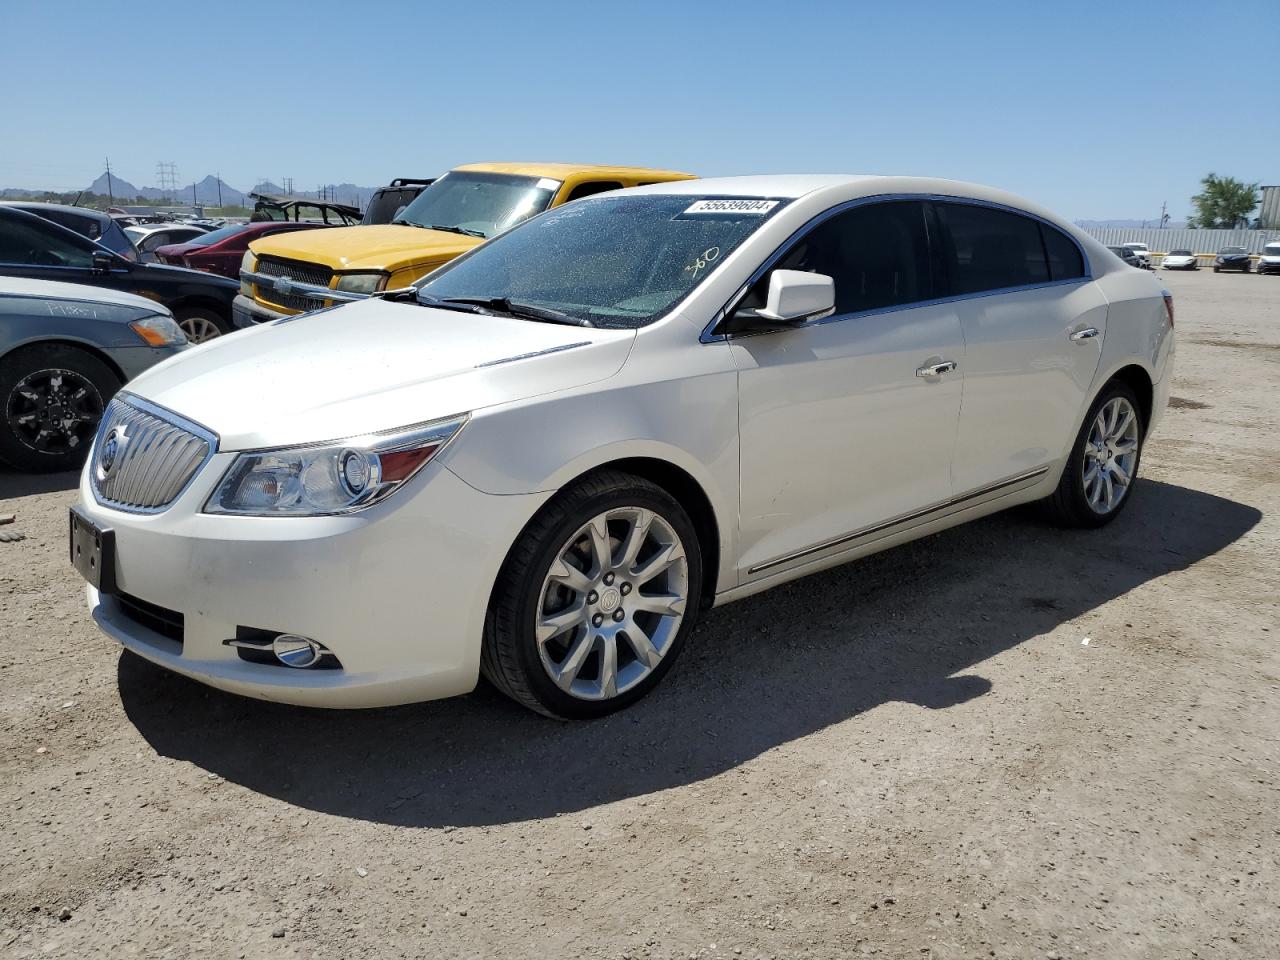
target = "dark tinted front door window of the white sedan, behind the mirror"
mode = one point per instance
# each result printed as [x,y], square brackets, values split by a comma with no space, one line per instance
[877,255]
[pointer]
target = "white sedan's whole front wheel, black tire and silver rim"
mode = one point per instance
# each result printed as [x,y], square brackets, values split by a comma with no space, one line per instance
[596,601]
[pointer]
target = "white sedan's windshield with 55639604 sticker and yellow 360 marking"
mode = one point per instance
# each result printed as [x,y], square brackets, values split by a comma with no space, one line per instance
[611,262]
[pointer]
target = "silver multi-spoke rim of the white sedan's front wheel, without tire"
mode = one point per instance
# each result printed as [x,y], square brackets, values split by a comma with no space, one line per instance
[612,604]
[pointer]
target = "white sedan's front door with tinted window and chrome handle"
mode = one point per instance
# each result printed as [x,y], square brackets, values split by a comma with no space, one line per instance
[848,424]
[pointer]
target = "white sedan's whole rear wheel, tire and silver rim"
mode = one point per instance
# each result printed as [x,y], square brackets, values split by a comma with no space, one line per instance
[1098,481]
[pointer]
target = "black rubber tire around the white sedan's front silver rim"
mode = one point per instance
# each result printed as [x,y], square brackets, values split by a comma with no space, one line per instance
[510,656]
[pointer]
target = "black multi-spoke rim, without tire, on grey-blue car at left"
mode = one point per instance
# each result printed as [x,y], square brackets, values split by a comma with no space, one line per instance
[54,412]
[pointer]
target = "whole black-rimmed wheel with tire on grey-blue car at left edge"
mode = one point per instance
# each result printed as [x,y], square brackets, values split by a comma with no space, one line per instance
[53,400]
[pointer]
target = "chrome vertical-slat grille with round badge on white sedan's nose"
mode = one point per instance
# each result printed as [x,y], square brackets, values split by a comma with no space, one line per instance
[143,460]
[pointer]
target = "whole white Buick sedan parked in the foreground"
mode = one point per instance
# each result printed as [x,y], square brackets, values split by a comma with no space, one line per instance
[550,458]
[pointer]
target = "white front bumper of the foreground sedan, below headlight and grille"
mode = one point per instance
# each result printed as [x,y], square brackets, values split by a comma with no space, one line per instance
[399,593]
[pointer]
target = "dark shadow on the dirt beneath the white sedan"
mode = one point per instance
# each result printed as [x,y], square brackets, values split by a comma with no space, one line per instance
[760,674]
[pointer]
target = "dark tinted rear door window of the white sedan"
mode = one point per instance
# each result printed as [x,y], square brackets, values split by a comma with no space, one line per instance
[993,249]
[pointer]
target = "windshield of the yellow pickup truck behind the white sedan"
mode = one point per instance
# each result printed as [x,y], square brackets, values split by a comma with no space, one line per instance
[484,204]
